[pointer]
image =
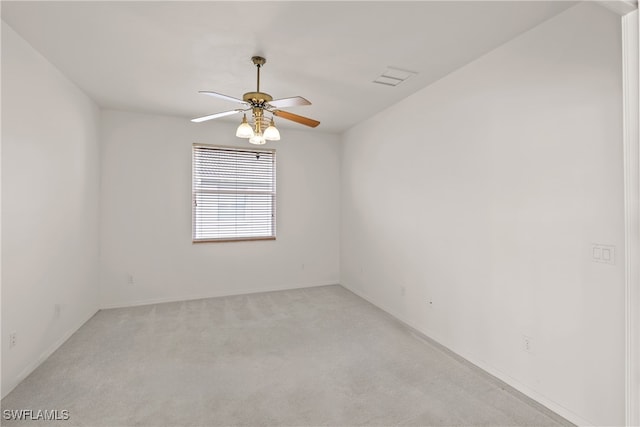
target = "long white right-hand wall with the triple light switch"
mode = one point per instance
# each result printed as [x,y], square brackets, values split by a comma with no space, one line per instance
[468,210]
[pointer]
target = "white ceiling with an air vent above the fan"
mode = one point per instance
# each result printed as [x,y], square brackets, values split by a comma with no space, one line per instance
[154,57]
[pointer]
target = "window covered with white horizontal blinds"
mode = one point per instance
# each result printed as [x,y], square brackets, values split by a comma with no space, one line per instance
[234,194]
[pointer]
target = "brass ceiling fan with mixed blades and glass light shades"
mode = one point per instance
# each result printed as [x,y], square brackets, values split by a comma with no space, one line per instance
[261,129]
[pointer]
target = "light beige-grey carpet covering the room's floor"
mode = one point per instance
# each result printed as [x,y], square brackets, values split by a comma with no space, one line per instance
[307,357]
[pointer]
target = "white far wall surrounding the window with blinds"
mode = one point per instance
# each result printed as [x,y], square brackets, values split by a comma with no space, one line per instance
[146,214]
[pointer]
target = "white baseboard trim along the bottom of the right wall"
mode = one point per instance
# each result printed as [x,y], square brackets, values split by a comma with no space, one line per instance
[538,398]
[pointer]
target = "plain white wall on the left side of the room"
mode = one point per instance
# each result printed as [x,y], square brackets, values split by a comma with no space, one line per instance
[49,207]
